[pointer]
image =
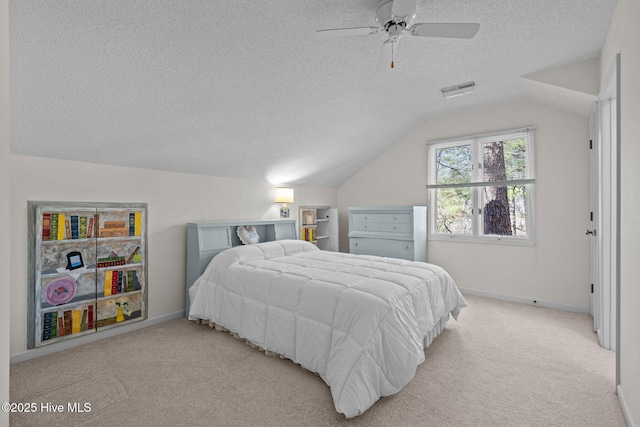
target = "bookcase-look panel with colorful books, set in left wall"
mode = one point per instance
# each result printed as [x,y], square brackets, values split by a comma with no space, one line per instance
[87,268]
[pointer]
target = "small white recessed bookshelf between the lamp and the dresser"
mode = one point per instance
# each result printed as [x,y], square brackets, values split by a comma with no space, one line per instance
[319,225]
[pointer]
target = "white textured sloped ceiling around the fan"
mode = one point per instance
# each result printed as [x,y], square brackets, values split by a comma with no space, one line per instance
[241,88]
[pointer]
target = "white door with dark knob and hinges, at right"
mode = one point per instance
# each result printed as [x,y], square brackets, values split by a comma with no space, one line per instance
[603,129]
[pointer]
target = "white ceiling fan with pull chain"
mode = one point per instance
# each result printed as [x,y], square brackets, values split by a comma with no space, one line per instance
[396,17]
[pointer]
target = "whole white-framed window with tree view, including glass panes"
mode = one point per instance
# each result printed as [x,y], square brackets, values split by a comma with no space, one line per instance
[481,188]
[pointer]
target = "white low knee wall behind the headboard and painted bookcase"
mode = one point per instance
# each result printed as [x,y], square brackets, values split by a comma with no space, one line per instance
[174,199]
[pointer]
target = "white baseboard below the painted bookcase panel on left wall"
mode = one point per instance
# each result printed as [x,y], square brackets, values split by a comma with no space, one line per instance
[86,339]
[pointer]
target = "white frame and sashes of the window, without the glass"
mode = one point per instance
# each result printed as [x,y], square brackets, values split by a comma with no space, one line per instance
[477,235]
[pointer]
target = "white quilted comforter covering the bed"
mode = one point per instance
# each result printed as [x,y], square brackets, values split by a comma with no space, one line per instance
[360,322]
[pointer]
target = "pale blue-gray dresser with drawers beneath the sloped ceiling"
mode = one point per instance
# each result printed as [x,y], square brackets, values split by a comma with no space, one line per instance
[390,231]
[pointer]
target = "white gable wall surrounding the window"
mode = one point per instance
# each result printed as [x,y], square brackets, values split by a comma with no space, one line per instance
[556,270]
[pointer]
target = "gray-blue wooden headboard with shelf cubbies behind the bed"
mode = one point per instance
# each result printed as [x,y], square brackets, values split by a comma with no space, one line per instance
[207,239]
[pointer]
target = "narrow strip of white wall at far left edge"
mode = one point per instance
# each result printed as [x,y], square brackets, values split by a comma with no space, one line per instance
[5,263]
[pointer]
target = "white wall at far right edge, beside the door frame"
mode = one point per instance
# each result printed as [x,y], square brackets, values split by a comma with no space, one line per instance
[623,38]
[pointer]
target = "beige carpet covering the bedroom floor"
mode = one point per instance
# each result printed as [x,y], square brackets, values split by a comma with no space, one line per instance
[501,364]
